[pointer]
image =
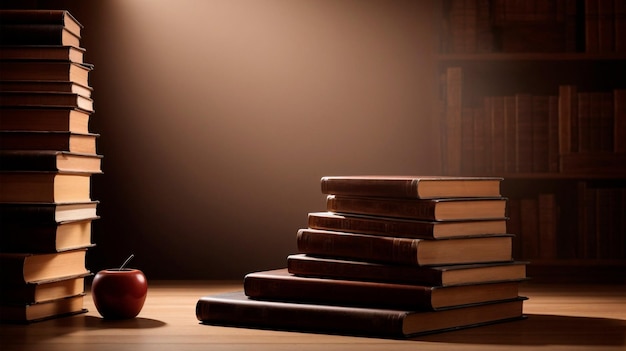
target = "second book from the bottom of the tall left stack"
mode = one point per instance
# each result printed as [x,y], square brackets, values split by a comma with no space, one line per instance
[41,291]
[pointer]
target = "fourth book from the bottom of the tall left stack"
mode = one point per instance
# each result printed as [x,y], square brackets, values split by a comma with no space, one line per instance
[45,238]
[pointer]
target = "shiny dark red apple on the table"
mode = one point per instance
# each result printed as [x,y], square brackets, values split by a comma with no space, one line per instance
[119,293]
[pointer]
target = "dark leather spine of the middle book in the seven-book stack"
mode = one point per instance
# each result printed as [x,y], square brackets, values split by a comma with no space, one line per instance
[355,246]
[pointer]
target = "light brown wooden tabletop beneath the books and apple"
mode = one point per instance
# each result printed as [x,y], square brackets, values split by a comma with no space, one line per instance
[560,317]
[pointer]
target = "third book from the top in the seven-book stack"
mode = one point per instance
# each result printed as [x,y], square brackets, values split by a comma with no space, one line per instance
[407,228]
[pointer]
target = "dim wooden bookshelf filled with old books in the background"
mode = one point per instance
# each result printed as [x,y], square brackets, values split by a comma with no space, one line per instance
[533,91]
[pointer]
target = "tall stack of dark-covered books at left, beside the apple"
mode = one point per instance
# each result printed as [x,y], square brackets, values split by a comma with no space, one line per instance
[47,158]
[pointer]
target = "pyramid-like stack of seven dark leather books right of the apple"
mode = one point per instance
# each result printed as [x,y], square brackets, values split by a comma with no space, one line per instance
[390,257]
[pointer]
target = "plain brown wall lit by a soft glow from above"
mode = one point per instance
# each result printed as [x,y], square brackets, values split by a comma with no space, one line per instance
[218,118]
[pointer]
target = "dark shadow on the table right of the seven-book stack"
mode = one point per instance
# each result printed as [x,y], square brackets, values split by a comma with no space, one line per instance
[540,329]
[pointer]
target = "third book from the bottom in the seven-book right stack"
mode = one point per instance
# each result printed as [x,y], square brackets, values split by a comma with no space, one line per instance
[447,275]
